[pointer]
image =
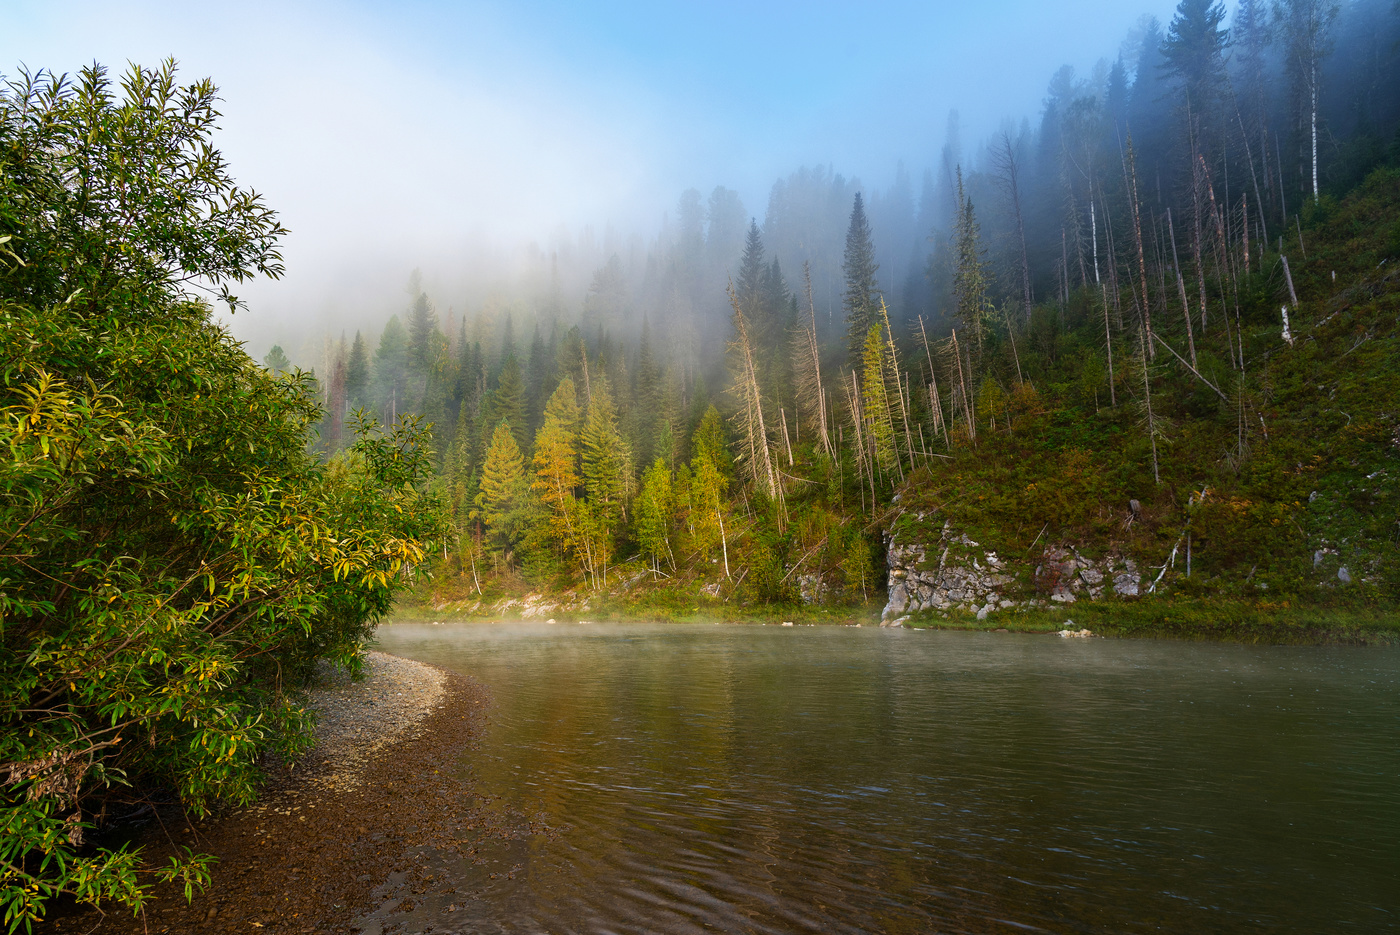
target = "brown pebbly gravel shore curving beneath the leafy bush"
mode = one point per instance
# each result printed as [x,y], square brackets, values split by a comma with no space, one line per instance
[345,829]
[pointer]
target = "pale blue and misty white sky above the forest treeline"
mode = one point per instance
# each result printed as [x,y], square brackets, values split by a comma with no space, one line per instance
[391,135]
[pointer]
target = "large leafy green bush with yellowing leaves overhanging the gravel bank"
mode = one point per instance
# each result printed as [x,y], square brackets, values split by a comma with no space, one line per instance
[174,561]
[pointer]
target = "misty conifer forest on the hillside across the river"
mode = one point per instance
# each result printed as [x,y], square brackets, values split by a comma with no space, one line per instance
[1097,310]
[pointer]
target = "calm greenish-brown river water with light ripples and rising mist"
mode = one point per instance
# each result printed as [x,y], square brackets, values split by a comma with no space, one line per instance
[769,779]
